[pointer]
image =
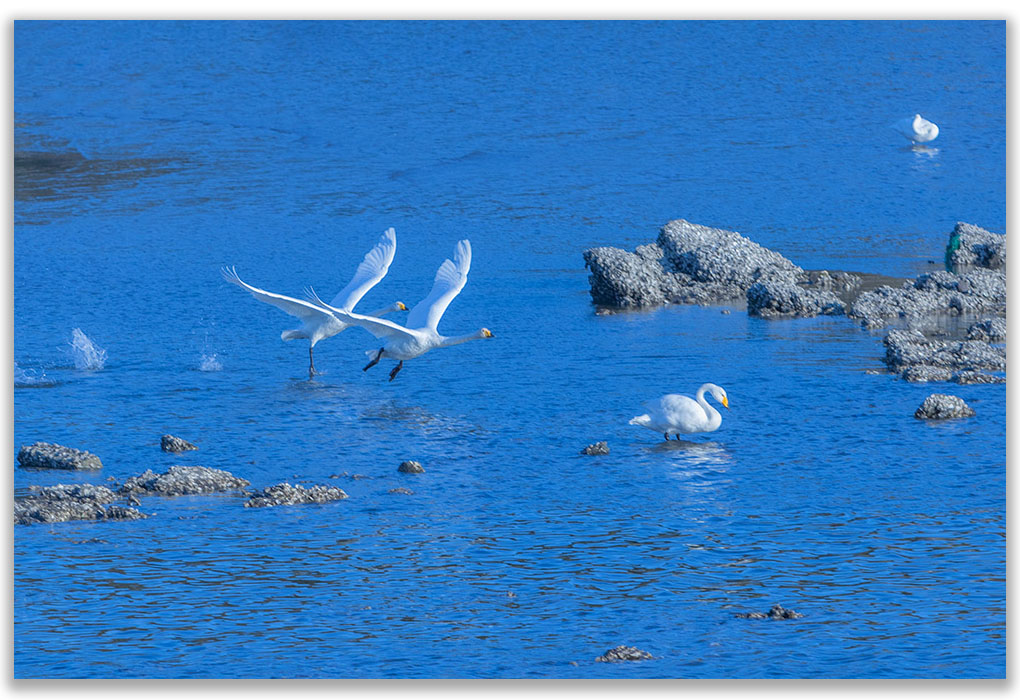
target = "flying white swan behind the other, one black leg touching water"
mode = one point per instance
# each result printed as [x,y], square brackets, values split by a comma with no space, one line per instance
[319,324]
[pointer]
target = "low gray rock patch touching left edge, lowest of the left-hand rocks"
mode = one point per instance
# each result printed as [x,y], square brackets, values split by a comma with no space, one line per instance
[66,503]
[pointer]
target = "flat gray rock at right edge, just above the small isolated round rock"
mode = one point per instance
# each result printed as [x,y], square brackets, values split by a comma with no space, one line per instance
[920,359]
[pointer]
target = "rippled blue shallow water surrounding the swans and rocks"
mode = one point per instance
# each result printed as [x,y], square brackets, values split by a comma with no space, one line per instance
[150,155]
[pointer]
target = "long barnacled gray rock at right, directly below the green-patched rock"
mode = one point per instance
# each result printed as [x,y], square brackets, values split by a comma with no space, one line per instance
[978,291]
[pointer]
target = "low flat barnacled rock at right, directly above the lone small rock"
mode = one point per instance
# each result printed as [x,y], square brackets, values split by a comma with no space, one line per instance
[905,349]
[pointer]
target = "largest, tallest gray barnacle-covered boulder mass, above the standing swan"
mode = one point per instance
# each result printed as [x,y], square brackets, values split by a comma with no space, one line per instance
[690,264]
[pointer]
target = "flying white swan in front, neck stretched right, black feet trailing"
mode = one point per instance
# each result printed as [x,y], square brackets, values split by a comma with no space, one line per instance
[421,334]
